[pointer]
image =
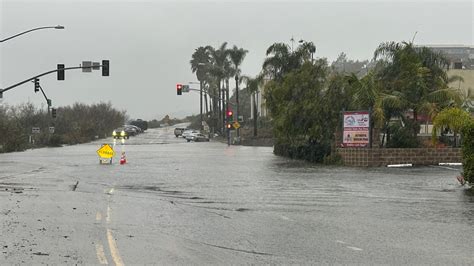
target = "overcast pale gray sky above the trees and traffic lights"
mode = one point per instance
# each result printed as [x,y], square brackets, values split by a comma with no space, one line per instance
[149,43]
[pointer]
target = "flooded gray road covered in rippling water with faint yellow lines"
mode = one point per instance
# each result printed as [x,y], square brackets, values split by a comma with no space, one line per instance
[205,203]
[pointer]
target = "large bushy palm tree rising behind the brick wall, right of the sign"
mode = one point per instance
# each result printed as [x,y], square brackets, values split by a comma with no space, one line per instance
[416,76]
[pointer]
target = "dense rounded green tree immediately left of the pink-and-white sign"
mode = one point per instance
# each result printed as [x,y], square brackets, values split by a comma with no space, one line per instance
[297,106]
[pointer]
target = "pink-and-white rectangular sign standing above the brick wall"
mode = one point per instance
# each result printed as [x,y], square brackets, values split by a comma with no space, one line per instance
[356,128]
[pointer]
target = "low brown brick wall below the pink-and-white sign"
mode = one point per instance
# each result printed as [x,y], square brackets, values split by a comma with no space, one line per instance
[385,156]
